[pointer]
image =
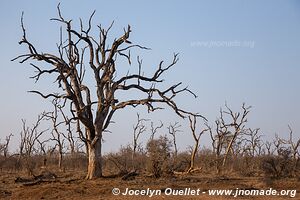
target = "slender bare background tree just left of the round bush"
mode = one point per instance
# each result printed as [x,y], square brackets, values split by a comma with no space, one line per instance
[138,129]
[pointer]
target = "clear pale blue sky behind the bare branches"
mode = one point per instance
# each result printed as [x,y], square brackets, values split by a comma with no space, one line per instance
[230,51]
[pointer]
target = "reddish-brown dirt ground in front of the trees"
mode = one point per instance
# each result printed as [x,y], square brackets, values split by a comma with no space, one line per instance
[71,185]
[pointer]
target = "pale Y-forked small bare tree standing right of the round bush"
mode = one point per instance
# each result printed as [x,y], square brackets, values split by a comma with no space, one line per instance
[196,137]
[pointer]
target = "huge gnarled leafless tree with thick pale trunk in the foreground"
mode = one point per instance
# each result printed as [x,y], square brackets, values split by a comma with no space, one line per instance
[79,51]
